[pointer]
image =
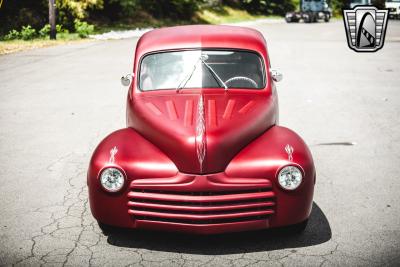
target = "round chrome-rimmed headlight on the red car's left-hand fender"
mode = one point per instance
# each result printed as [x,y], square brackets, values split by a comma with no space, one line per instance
[118,173]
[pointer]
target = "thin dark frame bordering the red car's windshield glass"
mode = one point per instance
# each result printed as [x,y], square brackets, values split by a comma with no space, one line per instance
[263,71]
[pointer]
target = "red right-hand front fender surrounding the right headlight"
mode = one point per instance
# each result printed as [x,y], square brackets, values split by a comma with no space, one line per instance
[264,158]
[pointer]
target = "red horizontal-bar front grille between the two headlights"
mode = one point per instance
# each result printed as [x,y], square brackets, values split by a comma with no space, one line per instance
[208,207]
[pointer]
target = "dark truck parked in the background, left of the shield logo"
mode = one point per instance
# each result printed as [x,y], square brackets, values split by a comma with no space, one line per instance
[310,11]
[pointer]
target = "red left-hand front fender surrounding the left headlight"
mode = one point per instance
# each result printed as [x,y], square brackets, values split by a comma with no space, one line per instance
[129,151]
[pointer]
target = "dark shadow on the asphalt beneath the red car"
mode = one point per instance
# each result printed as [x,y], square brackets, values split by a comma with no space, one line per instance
[318,231]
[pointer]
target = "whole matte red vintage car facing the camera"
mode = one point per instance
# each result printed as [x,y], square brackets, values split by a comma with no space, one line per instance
[202,151]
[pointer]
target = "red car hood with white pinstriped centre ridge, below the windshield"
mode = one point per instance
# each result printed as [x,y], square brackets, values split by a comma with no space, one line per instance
[201,132]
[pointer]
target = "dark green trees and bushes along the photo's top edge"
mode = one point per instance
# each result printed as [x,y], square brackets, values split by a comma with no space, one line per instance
[16,14]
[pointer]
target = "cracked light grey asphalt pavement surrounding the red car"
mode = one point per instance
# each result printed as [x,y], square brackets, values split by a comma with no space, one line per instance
[57,103]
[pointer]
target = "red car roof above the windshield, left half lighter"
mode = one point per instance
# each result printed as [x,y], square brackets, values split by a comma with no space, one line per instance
[201,36]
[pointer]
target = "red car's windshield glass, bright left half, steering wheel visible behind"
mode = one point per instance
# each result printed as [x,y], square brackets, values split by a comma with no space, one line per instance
[201,69]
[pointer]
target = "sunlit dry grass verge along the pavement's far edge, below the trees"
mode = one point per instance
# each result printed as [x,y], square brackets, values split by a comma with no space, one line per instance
[218,15]
